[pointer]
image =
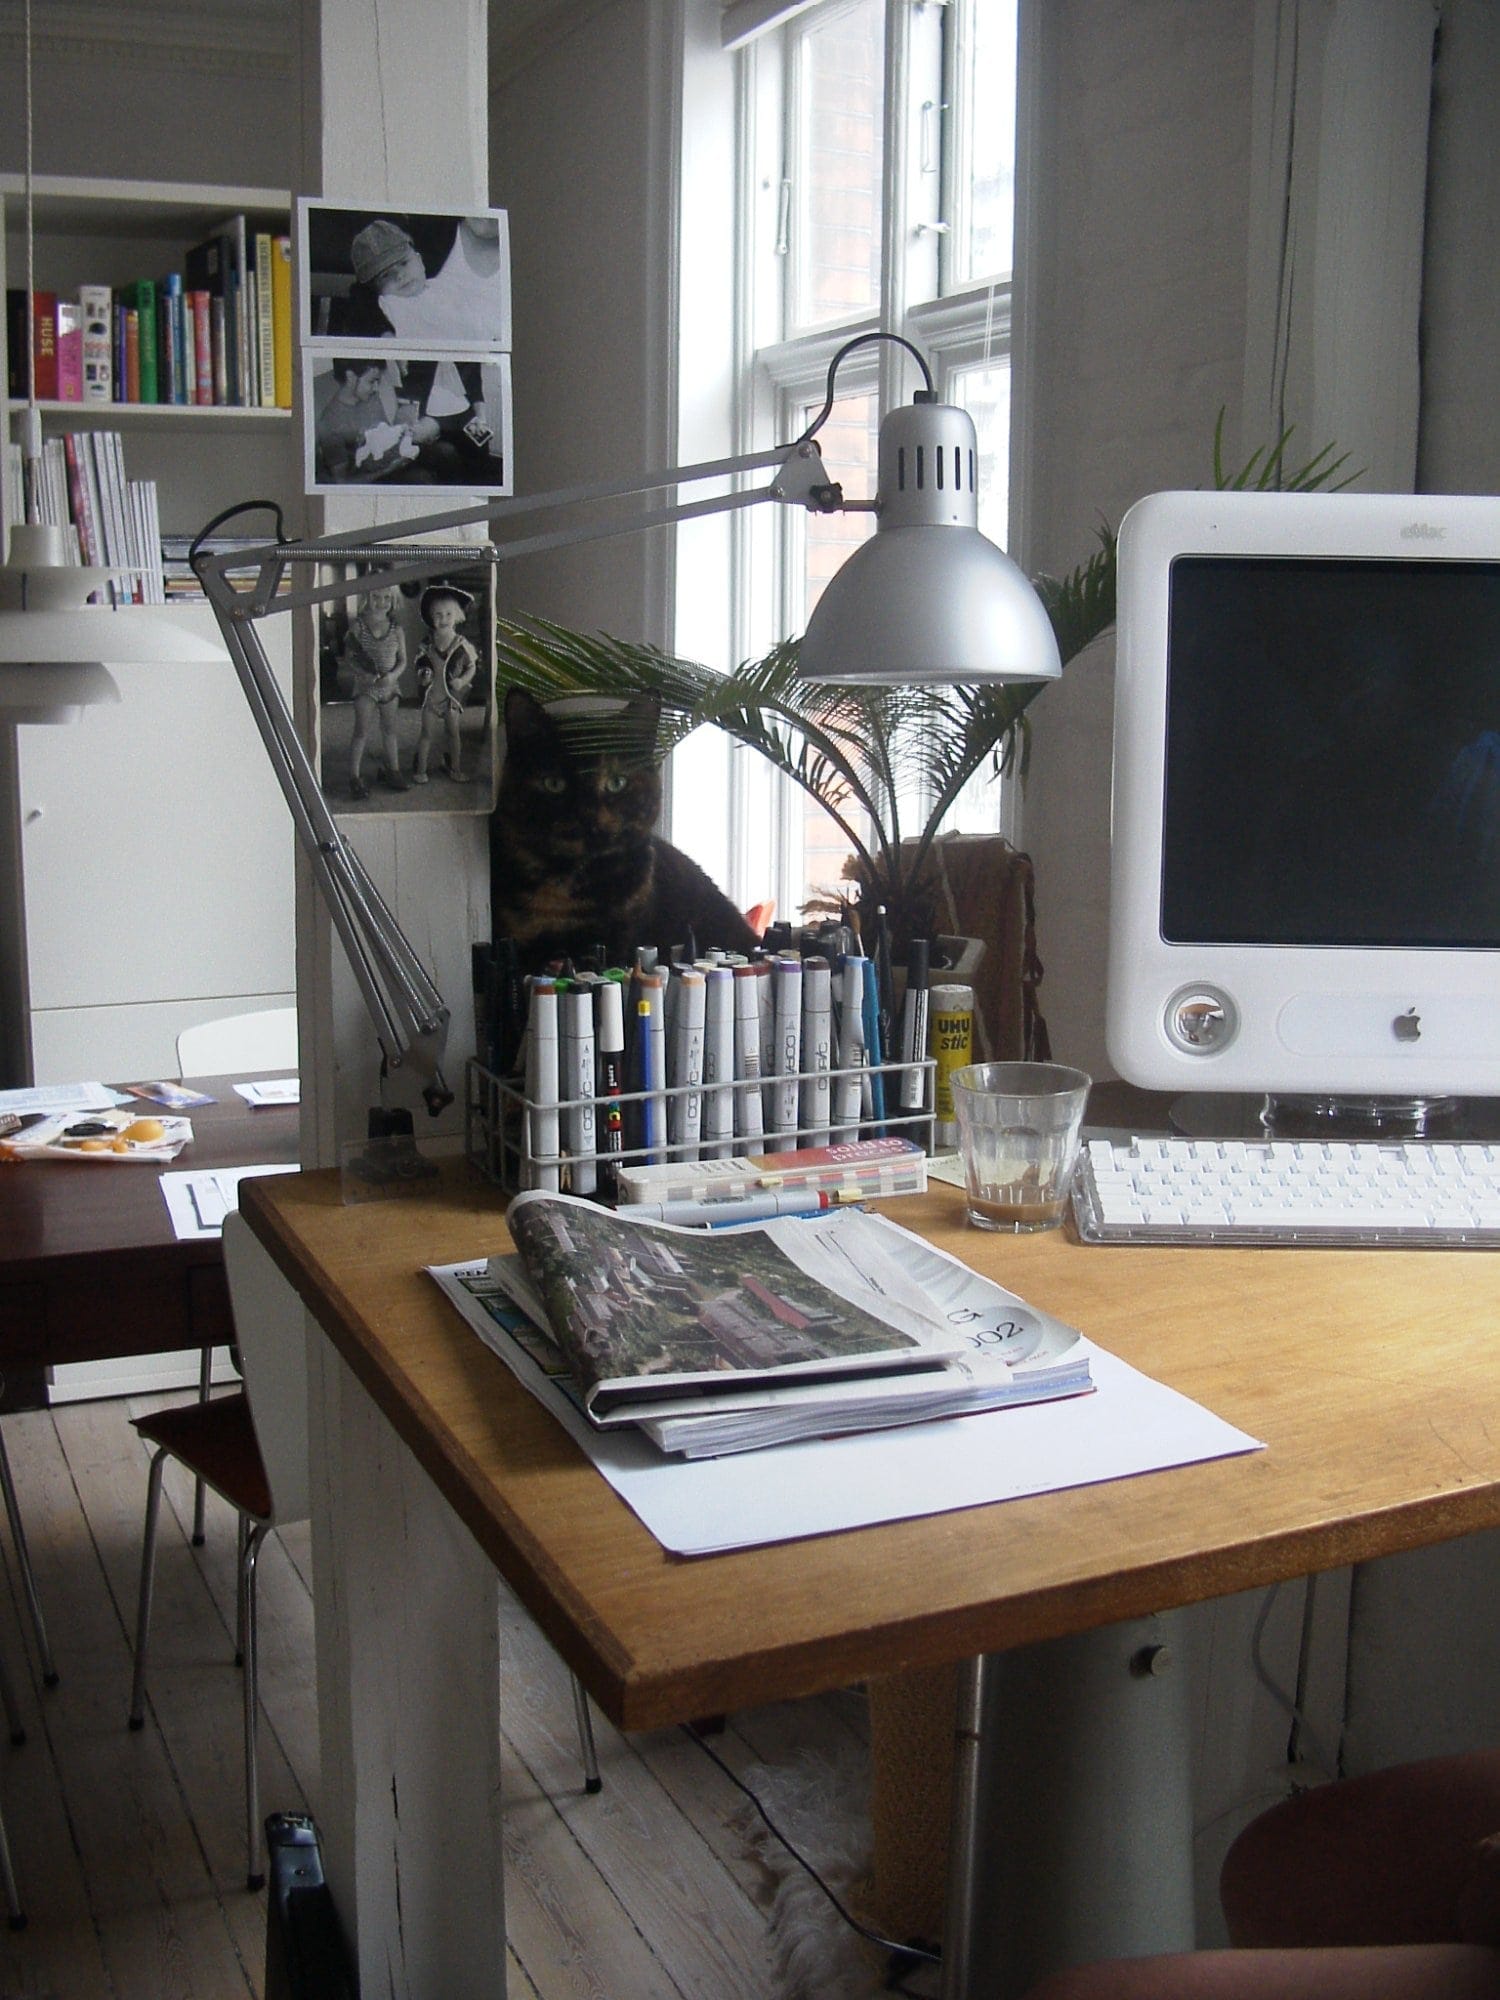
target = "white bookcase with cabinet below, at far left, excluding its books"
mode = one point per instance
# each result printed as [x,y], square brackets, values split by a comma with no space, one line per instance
[145,853]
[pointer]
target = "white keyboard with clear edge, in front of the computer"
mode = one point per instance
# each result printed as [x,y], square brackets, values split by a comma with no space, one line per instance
[1181,1191]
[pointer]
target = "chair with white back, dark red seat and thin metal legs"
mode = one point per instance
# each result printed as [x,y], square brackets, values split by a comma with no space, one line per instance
[253,1451]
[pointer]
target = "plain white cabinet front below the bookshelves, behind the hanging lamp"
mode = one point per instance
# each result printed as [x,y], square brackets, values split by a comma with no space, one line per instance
[151,867]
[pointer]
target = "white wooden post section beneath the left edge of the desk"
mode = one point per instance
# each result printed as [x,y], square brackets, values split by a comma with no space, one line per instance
[409,1697]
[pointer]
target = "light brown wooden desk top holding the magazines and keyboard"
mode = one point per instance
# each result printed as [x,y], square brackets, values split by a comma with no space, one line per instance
[1369,1375]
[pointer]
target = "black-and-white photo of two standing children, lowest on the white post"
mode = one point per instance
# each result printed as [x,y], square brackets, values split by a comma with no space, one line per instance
[407,717]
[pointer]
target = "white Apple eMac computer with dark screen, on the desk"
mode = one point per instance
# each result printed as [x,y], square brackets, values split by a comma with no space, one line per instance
[1307,797]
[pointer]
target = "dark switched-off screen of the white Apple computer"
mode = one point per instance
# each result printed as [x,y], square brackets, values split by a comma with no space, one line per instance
[1333,753]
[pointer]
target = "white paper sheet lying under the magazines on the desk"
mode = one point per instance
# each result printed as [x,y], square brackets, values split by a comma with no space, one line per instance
[787,1491]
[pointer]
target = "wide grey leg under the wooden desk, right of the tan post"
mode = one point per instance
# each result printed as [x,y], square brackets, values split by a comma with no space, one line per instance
[1073,1809]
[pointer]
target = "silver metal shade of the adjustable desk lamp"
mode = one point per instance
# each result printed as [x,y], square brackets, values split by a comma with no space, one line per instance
[929,599]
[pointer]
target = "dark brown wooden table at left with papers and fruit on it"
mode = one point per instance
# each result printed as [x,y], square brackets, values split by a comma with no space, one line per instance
[91,1267]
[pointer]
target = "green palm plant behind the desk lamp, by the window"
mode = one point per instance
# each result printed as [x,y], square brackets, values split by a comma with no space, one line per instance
[865,753]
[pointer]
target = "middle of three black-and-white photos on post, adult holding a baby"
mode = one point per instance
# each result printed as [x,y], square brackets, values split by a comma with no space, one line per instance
[411,417]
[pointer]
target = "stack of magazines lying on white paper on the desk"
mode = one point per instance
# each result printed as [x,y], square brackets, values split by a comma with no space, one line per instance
[723,1341]
